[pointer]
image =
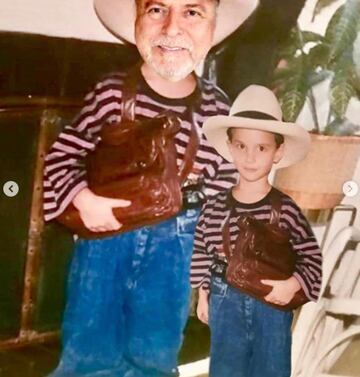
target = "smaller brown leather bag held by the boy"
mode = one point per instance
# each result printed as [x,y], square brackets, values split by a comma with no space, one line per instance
[262,251]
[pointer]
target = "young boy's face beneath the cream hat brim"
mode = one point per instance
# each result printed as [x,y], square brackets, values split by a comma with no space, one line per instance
[254,152]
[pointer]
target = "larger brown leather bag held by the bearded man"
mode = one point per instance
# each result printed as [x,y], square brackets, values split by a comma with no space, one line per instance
[136,160]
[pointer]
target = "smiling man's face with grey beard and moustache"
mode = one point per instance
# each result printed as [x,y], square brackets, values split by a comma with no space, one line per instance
[173,36]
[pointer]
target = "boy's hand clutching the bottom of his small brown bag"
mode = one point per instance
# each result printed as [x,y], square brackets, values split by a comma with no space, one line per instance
[283,290]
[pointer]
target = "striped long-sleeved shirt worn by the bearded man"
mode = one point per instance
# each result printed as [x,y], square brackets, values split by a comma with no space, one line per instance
[65,173]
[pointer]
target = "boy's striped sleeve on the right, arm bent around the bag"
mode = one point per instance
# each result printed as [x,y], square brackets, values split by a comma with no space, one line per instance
[308,269]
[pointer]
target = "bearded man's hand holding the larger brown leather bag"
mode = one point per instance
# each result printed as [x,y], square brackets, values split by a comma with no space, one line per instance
[96,211]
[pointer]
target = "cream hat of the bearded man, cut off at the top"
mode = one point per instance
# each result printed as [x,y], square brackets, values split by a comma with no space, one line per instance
[118,16]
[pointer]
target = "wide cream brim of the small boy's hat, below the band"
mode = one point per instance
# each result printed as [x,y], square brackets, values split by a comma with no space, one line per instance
[296,139]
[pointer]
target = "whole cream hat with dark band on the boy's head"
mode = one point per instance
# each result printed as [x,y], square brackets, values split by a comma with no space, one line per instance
[256,107]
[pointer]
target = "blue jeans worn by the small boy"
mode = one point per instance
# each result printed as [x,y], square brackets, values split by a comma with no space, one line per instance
[248,338]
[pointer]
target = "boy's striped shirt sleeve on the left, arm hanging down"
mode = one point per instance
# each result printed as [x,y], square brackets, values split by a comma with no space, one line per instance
[201,260]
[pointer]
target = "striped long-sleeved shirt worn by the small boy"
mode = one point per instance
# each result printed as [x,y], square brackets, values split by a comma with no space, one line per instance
[208,238]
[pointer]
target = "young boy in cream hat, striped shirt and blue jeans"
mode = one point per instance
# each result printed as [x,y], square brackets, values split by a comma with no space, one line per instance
[250,338]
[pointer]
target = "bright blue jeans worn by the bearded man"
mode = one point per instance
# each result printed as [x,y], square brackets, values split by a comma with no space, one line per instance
[128,302]
